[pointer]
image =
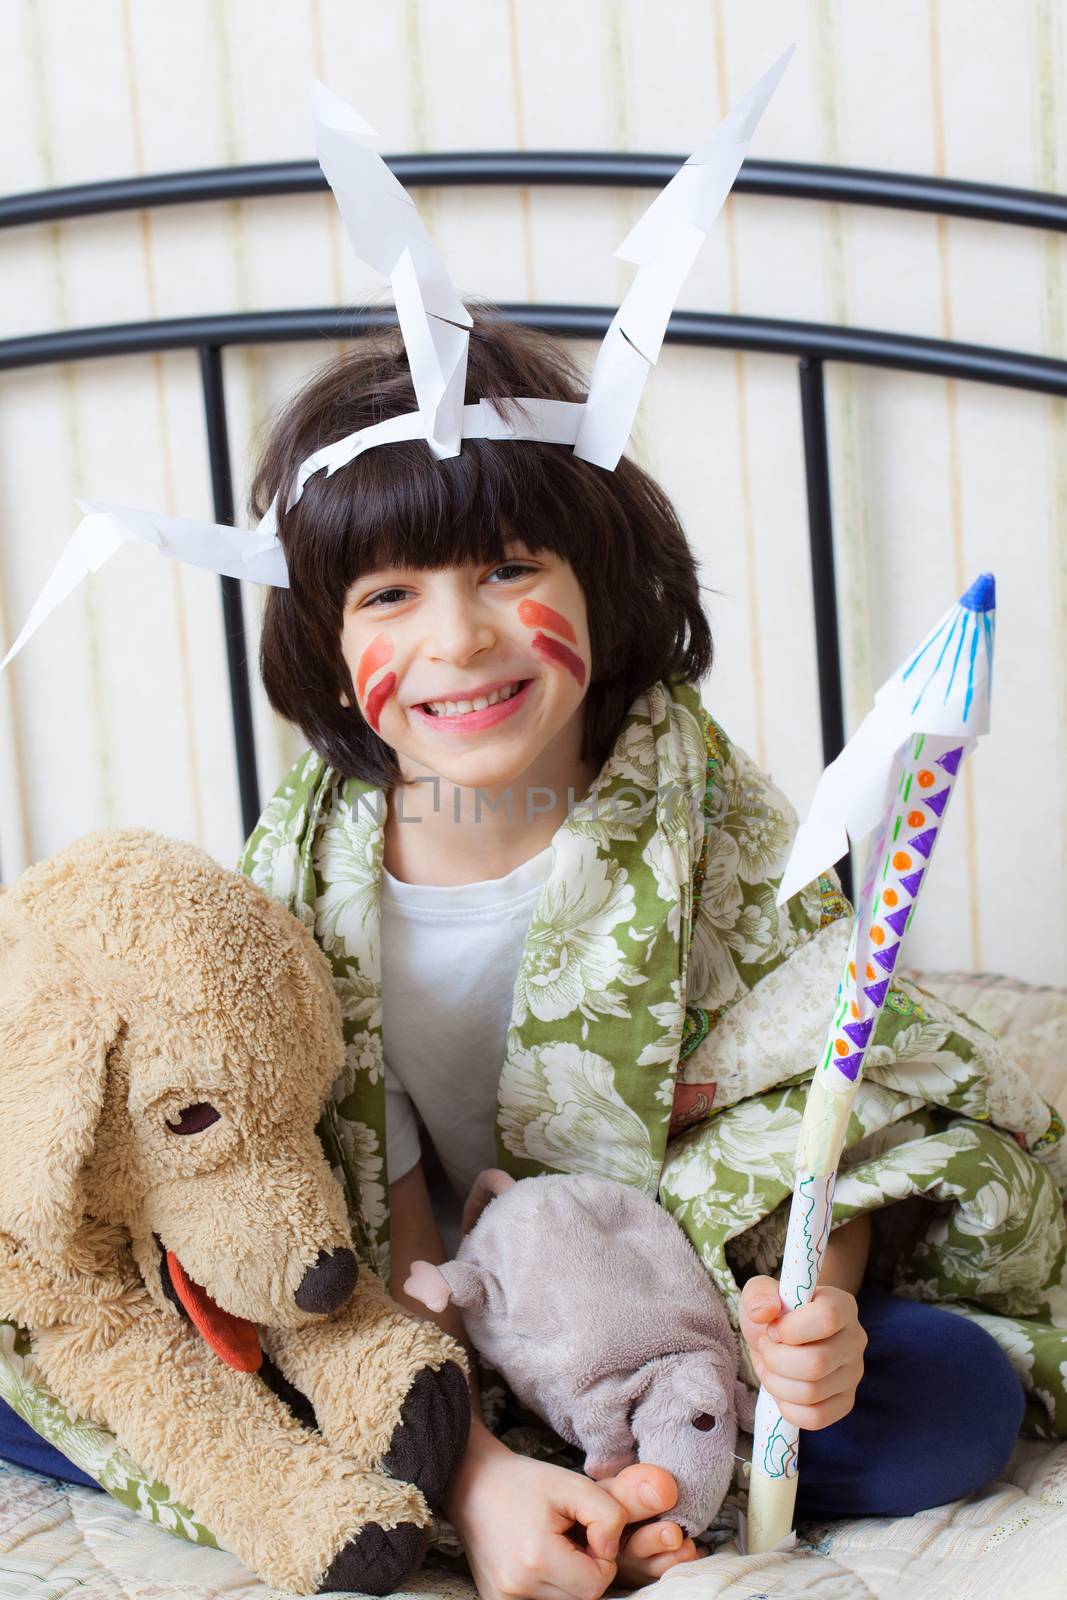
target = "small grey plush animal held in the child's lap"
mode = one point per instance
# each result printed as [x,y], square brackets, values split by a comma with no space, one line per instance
[597,1311]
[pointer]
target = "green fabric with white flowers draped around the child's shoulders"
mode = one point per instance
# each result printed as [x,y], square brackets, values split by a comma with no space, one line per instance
[666,1022]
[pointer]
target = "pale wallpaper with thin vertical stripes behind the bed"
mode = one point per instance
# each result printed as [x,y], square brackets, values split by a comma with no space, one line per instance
[119,711]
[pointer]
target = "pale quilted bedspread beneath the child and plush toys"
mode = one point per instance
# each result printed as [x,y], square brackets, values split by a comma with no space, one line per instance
[1010,1542]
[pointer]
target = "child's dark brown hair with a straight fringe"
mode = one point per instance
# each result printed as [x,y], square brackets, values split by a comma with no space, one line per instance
[401,506]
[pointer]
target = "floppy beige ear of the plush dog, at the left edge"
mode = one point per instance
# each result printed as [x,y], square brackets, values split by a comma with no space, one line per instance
[54,1068]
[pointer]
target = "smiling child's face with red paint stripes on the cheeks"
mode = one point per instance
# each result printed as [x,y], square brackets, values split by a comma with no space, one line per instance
[471,673]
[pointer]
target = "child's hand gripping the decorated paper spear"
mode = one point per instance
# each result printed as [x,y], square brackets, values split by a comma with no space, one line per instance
[812,1359]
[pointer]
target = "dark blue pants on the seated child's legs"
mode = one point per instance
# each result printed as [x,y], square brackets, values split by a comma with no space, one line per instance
[937,1417]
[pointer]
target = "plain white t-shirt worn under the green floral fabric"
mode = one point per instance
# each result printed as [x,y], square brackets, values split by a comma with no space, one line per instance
[450,959]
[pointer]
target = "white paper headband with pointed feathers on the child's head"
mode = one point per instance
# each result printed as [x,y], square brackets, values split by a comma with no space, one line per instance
[386,231]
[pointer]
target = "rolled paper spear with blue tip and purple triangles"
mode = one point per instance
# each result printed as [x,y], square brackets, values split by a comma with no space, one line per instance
[897,777]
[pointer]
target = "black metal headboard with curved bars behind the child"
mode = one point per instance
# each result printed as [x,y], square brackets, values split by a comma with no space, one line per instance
[812,345]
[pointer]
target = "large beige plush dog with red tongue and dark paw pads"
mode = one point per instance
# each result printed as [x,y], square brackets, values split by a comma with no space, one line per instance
[169,1036]
